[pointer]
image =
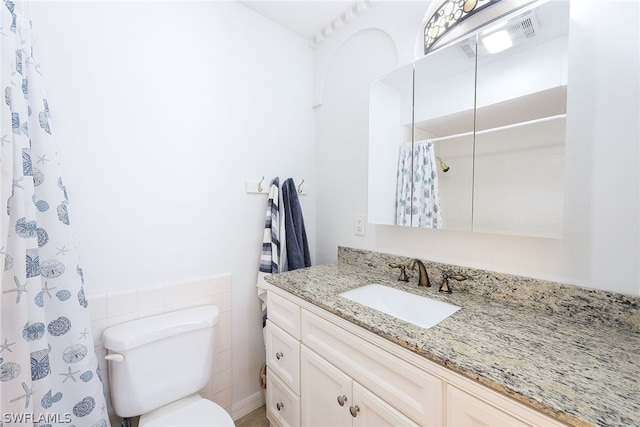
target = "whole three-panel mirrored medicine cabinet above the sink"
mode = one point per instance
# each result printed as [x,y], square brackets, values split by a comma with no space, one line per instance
[471,137]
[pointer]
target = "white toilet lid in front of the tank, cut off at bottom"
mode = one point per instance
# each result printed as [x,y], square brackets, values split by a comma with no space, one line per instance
[191,411]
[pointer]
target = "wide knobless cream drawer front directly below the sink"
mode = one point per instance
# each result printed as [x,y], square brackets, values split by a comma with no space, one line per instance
[404,386]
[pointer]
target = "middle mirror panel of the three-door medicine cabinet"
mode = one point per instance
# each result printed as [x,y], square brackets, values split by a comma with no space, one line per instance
[444,118]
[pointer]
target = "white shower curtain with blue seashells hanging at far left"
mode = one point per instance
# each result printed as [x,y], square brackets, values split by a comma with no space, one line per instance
[49,372]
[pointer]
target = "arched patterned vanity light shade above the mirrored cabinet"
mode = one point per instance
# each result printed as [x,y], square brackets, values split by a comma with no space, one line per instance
[450,14]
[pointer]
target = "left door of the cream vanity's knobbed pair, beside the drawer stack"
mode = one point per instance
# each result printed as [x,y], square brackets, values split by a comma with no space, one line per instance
[323,388]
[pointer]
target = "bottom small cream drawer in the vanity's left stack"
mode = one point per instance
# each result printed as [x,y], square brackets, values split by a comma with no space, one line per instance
[283,407]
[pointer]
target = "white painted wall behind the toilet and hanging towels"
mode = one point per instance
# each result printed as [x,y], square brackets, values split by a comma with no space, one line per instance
[162,111]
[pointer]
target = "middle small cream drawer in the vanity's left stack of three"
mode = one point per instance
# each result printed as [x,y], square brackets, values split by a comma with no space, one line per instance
[283,356]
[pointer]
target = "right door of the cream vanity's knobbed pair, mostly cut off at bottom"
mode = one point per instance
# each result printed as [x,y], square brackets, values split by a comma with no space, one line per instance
[371,411]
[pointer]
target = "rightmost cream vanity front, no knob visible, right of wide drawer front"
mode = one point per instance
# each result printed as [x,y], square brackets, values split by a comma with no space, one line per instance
[465,410]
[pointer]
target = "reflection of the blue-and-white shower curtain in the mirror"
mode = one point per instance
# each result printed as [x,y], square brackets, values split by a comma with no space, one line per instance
[417,195]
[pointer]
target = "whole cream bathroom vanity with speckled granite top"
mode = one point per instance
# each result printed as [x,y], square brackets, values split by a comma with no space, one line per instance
[496,361]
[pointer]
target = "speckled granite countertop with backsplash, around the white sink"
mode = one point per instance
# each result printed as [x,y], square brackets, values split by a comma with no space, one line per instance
[569,352]
